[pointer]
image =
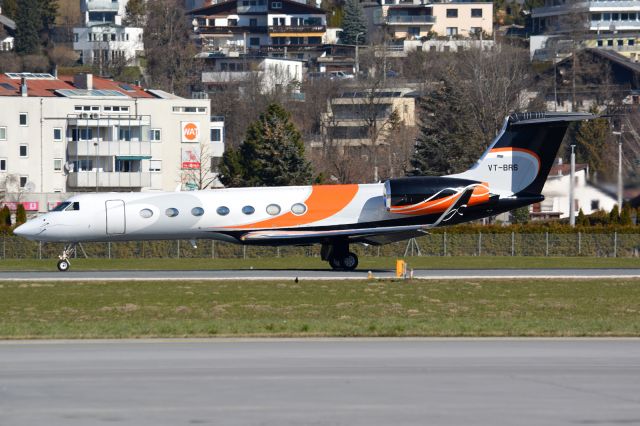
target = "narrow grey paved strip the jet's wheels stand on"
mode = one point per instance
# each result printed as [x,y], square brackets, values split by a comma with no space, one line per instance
[317,274]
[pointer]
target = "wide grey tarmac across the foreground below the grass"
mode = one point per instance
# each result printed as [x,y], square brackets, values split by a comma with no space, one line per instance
[321,382]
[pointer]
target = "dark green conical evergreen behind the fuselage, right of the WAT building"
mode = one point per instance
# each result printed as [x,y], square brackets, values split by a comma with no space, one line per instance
[272,154]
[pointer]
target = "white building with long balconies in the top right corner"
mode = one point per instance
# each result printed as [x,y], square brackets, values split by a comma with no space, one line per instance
[607,24]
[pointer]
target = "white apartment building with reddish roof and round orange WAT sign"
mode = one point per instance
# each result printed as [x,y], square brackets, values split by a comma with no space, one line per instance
[84,134]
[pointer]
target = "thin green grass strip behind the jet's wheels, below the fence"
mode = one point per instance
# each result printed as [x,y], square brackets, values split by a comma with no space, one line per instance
[366,263]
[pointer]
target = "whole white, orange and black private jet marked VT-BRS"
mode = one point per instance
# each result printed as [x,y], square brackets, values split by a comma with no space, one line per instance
[510,174]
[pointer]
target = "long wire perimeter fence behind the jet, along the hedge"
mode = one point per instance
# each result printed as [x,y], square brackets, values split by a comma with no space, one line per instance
[614,244]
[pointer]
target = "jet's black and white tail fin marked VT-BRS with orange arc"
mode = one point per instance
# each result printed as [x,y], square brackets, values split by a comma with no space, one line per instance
[520,158]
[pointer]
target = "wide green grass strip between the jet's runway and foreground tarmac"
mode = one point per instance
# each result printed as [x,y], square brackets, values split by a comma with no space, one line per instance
[320,308]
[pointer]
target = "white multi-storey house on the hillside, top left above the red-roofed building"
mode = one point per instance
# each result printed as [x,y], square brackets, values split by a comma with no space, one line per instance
[104,39]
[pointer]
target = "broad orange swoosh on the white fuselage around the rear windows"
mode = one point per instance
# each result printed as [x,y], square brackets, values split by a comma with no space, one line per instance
[324,201]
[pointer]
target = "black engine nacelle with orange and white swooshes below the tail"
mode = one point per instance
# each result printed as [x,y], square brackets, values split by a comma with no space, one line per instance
[429,194]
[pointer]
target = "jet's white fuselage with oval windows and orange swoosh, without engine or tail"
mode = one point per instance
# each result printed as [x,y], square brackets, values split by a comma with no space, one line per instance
[171,215]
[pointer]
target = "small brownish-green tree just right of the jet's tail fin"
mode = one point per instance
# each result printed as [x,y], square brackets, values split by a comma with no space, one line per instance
[591,139]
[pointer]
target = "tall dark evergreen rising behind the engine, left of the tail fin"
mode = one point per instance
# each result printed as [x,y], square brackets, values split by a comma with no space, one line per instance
[446,143]
